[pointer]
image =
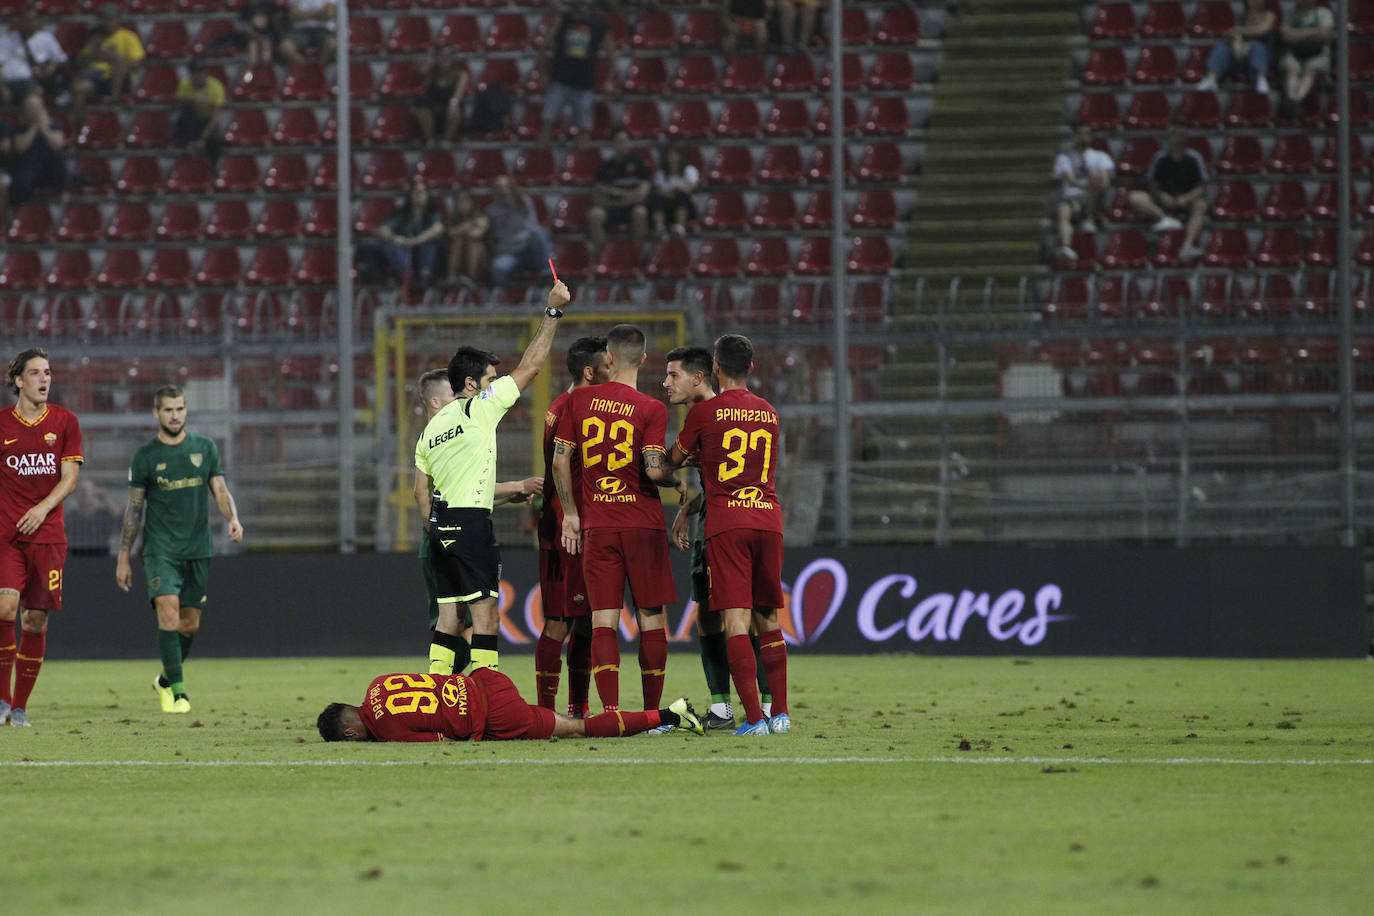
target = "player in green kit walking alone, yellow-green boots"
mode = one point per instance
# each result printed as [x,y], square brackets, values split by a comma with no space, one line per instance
[170,479]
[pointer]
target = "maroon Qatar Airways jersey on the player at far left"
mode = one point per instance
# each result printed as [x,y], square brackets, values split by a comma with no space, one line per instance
[31,461]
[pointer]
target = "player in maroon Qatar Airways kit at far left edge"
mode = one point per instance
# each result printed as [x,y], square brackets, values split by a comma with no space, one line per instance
[41,461]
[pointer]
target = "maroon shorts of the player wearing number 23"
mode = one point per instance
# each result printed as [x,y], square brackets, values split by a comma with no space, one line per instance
[640,556]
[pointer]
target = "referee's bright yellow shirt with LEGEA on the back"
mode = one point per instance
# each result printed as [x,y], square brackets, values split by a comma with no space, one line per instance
[458,450]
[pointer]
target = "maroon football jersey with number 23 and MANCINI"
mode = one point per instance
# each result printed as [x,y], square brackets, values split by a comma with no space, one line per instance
[611,426]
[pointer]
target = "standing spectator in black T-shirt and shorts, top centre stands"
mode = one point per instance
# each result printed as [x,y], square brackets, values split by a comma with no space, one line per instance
[579,39]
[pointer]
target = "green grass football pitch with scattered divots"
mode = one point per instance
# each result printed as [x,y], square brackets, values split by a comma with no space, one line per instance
[909,785]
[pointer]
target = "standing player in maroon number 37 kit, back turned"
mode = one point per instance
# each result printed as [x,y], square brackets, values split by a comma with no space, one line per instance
[736,439]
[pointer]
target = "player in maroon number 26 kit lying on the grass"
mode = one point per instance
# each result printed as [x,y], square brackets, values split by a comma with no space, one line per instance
[438,708]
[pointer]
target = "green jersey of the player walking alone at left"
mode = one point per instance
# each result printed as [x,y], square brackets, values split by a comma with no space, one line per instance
[177,480]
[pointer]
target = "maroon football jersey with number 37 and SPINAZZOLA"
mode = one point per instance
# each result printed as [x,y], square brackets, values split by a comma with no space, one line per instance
[734,437]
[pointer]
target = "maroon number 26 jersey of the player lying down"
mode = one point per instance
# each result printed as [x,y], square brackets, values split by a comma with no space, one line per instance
[424,708]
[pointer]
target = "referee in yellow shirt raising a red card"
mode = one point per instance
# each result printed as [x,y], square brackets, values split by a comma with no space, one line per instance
[458,455]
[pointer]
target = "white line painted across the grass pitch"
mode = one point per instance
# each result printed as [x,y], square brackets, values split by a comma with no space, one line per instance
[803,762]
